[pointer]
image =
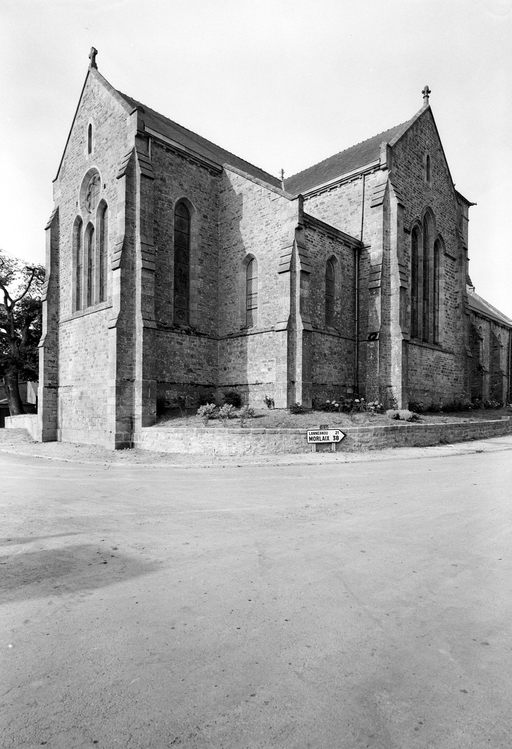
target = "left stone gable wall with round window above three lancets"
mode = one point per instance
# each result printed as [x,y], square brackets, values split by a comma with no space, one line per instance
[84,353]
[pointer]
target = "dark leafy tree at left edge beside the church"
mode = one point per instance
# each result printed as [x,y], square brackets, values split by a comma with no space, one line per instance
[20,325]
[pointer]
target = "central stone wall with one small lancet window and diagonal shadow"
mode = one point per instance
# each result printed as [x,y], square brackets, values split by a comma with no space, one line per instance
[255,221]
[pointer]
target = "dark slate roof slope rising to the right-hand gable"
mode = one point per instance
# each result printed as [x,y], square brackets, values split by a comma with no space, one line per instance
[343,162]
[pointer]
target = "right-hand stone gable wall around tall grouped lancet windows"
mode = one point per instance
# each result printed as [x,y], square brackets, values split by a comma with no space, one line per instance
[434,372]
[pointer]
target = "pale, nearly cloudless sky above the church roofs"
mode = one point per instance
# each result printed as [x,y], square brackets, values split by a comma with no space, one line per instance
[280,83]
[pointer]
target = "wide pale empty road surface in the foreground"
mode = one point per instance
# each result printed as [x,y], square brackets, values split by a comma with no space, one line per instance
[333,606]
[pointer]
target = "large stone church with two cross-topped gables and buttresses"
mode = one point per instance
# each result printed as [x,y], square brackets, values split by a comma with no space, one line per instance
[177,269]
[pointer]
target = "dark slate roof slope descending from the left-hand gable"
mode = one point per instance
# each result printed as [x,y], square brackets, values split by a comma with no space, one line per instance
[198,145]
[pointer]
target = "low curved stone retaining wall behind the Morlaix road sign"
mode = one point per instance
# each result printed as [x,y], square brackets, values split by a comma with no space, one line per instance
[272,441]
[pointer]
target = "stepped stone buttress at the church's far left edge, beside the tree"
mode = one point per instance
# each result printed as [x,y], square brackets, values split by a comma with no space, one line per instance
[47,410]
